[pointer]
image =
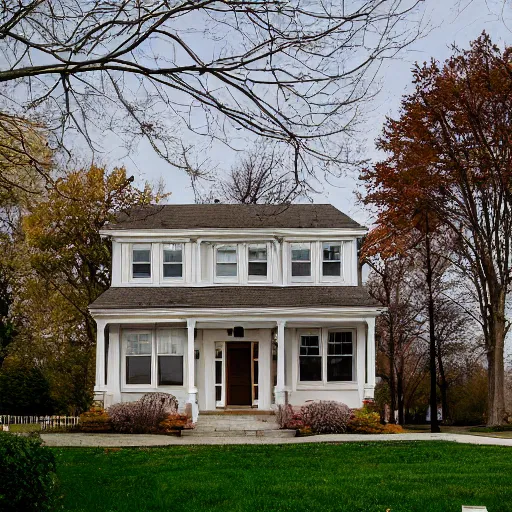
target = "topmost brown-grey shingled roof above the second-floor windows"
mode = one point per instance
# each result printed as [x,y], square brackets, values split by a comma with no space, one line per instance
[236,216]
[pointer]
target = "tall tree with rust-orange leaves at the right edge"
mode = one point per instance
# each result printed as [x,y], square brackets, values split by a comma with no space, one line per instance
[449,155]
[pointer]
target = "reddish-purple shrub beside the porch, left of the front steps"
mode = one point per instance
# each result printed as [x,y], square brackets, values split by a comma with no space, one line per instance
[144,415]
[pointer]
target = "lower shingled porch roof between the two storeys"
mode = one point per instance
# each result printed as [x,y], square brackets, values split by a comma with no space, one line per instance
[233,297]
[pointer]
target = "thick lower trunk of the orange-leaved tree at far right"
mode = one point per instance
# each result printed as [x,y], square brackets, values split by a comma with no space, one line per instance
[496,371]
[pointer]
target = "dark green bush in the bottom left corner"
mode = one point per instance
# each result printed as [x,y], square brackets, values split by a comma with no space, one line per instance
[27,474]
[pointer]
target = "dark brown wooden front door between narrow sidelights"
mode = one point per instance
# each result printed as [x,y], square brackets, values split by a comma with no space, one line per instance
[239,382]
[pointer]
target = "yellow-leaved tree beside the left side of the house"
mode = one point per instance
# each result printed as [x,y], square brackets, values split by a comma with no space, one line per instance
[62,266]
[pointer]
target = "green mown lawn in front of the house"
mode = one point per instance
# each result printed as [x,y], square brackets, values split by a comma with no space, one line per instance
[369,477]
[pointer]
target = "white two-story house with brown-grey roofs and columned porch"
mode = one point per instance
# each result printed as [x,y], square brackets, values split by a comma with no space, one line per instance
[229,306]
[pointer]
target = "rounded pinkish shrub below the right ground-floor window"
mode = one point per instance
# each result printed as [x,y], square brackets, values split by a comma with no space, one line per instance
[326,417]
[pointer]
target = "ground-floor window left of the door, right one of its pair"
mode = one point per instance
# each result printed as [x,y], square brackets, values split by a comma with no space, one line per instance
[170,346]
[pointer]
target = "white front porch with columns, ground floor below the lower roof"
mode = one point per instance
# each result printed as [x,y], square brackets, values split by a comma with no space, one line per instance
[230,361]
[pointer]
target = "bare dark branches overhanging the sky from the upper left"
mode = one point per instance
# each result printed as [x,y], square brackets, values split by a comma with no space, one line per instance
[288,70]
